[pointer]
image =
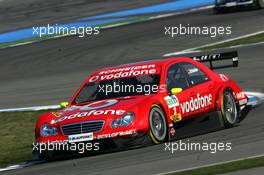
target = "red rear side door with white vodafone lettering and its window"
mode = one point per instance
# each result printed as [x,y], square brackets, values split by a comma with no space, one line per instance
[200,91]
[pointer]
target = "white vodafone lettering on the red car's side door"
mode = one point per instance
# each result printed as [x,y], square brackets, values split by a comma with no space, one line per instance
[196,103]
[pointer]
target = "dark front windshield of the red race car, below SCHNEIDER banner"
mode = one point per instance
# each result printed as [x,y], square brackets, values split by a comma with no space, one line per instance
[140,85]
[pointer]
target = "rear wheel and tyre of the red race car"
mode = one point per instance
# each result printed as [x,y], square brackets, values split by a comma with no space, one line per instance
[229,109]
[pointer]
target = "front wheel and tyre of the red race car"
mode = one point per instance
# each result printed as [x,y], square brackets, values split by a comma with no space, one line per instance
[158,129]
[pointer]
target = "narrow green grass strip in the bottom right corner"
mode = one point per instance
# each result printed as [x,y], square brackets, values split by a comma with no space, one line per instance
[225,168]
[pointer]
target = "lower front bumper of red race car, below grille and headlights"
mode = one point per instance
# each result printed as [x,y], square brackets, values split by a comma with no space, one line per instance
[100,143]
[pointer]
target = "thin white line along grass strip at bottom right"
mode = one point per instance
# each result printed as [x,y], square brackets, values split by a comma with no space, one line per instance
[212,164]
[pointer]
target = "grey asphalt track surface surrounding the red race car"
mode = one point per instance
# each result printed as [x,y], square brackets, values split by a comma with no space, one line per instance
[48,72]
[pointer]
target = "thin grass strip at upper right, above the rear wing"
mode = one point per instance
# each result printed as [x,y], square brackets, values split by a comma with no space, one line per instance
[247,40]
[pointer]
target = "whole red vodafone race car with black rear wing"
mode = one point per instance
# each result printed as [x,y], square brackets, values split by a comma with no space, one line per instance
[122,104]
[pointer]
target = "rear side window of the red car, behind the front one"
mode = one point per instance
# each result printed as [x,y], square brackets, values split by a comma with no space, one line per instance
[195,75]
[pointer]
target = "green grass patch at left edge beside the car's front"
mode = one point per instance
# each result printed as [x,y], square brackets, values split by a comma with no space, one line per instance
[17,136]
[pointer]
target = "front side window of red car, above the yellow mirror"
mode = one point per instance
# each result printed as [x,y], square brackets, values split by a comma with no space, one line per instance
[176,78]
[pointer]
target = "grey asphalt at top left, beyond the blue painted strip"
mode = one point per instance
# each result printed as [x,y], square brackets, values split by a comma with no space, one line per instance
[16,14]
